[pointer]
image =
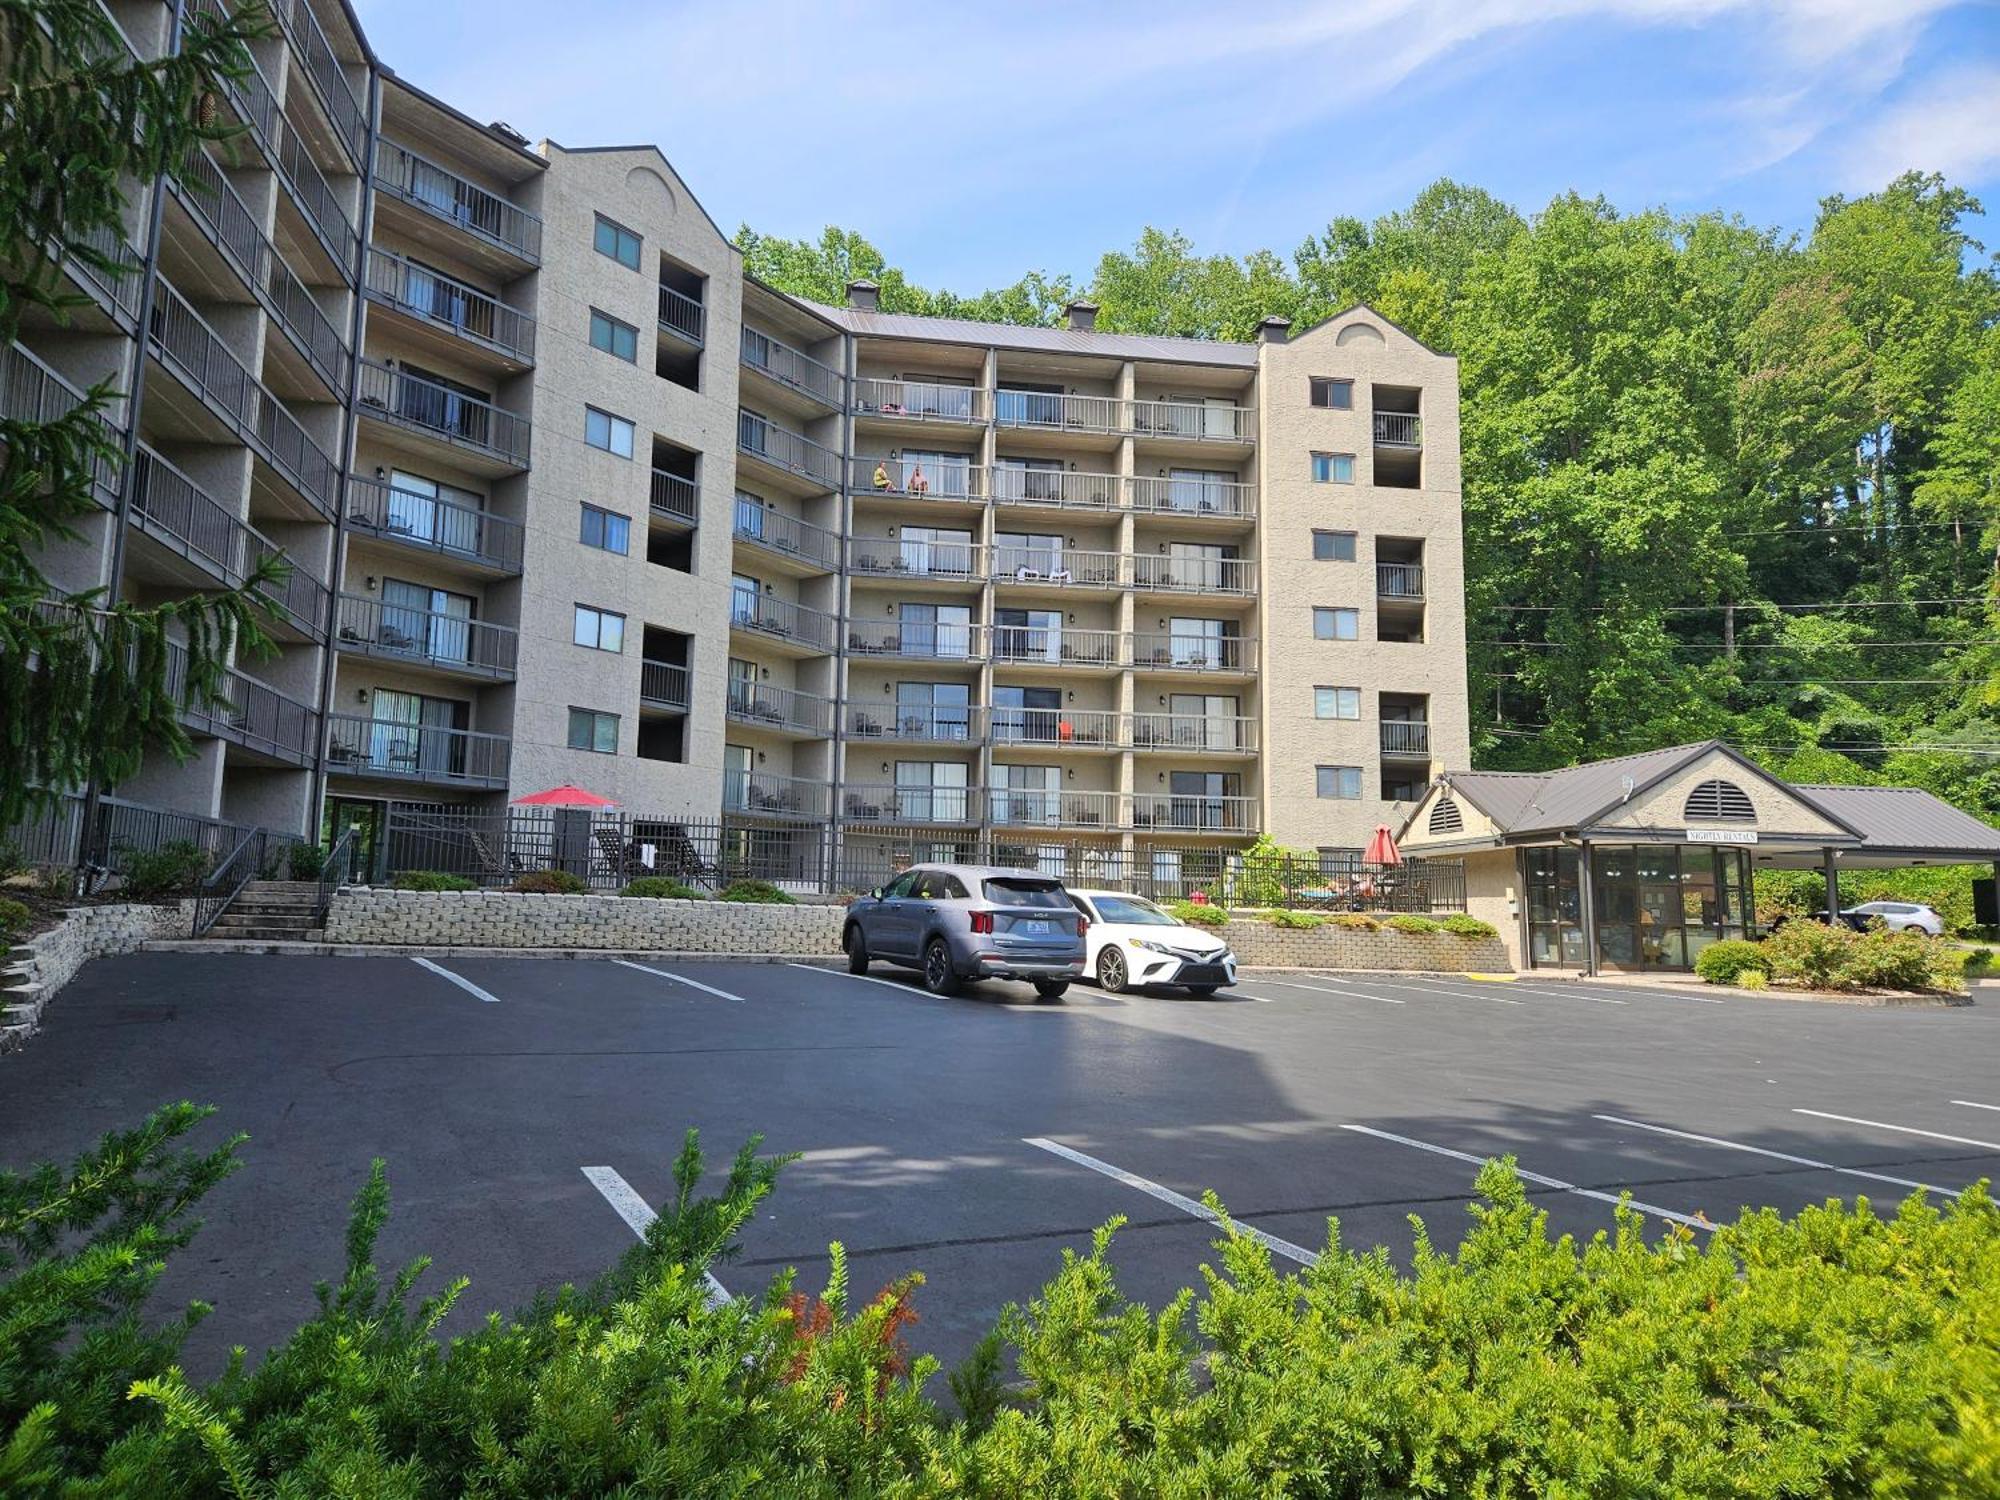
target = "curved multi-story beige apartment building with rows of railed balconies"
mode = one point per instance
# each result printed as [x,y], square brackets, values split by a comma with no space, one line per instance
[571,499]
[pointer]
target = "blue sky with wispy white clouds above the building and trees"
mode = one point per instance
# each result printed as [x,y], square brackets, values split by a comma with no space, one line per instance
[975,141]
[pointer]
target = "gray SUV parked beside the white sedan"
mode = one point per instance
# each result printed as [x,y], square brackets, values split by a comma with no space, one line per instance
[959,923]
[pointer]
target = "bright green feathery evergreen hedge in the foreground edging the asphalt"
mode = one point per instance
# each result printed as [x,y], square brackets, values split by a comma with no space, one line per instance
[1833,1355]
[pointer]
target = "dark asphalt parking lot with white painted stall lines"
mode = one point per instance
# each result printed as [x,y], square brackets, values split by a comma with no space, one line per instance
[531,1107]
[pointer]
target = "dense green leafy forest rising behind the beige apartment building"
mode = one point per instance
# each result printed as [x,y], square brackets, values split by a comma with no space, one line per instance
[1719,481]
